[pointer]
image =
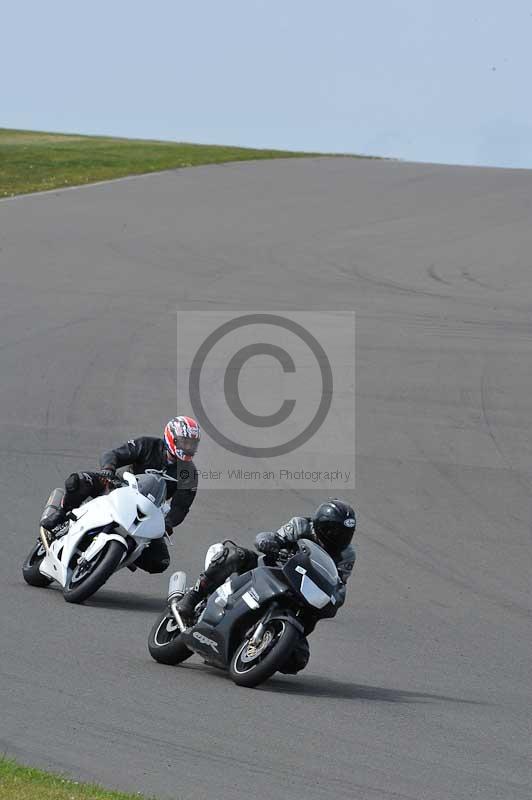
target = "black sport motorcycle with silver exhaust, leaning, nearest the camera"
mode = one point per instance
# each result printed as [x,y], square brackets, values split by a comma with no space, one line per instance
[251,623]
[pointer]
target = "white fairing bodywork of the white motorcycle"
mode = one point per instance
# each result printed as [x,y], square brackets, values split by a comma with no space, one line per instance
[134,514]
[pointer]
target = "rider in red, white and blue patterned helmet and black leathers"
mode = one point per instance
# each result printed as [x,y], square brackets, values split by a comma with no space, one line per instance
[173,454]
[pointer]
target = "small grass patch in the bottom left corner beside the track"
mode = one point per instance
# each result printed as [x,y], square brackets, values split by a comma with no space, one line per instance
[24,783]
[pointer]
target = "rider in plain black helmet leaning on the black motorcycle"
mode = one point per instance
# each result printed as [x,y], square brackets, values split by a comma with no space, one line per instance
[332,526]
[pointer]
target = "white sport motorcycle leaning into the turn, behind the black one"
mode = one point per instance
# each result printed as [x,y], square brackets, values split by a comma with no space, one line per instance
[102,536]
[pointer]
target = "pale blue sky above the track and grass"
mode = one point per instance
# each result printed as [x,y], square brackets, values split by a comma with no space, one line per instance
[420,80]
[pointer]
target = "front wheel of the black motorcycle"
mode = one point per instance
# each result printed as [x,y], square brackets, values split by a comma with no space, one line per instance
[252,664]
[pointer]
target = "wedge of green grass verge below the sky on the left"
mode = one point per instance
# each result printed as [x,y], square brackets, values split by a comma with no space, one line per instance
[33,162]
